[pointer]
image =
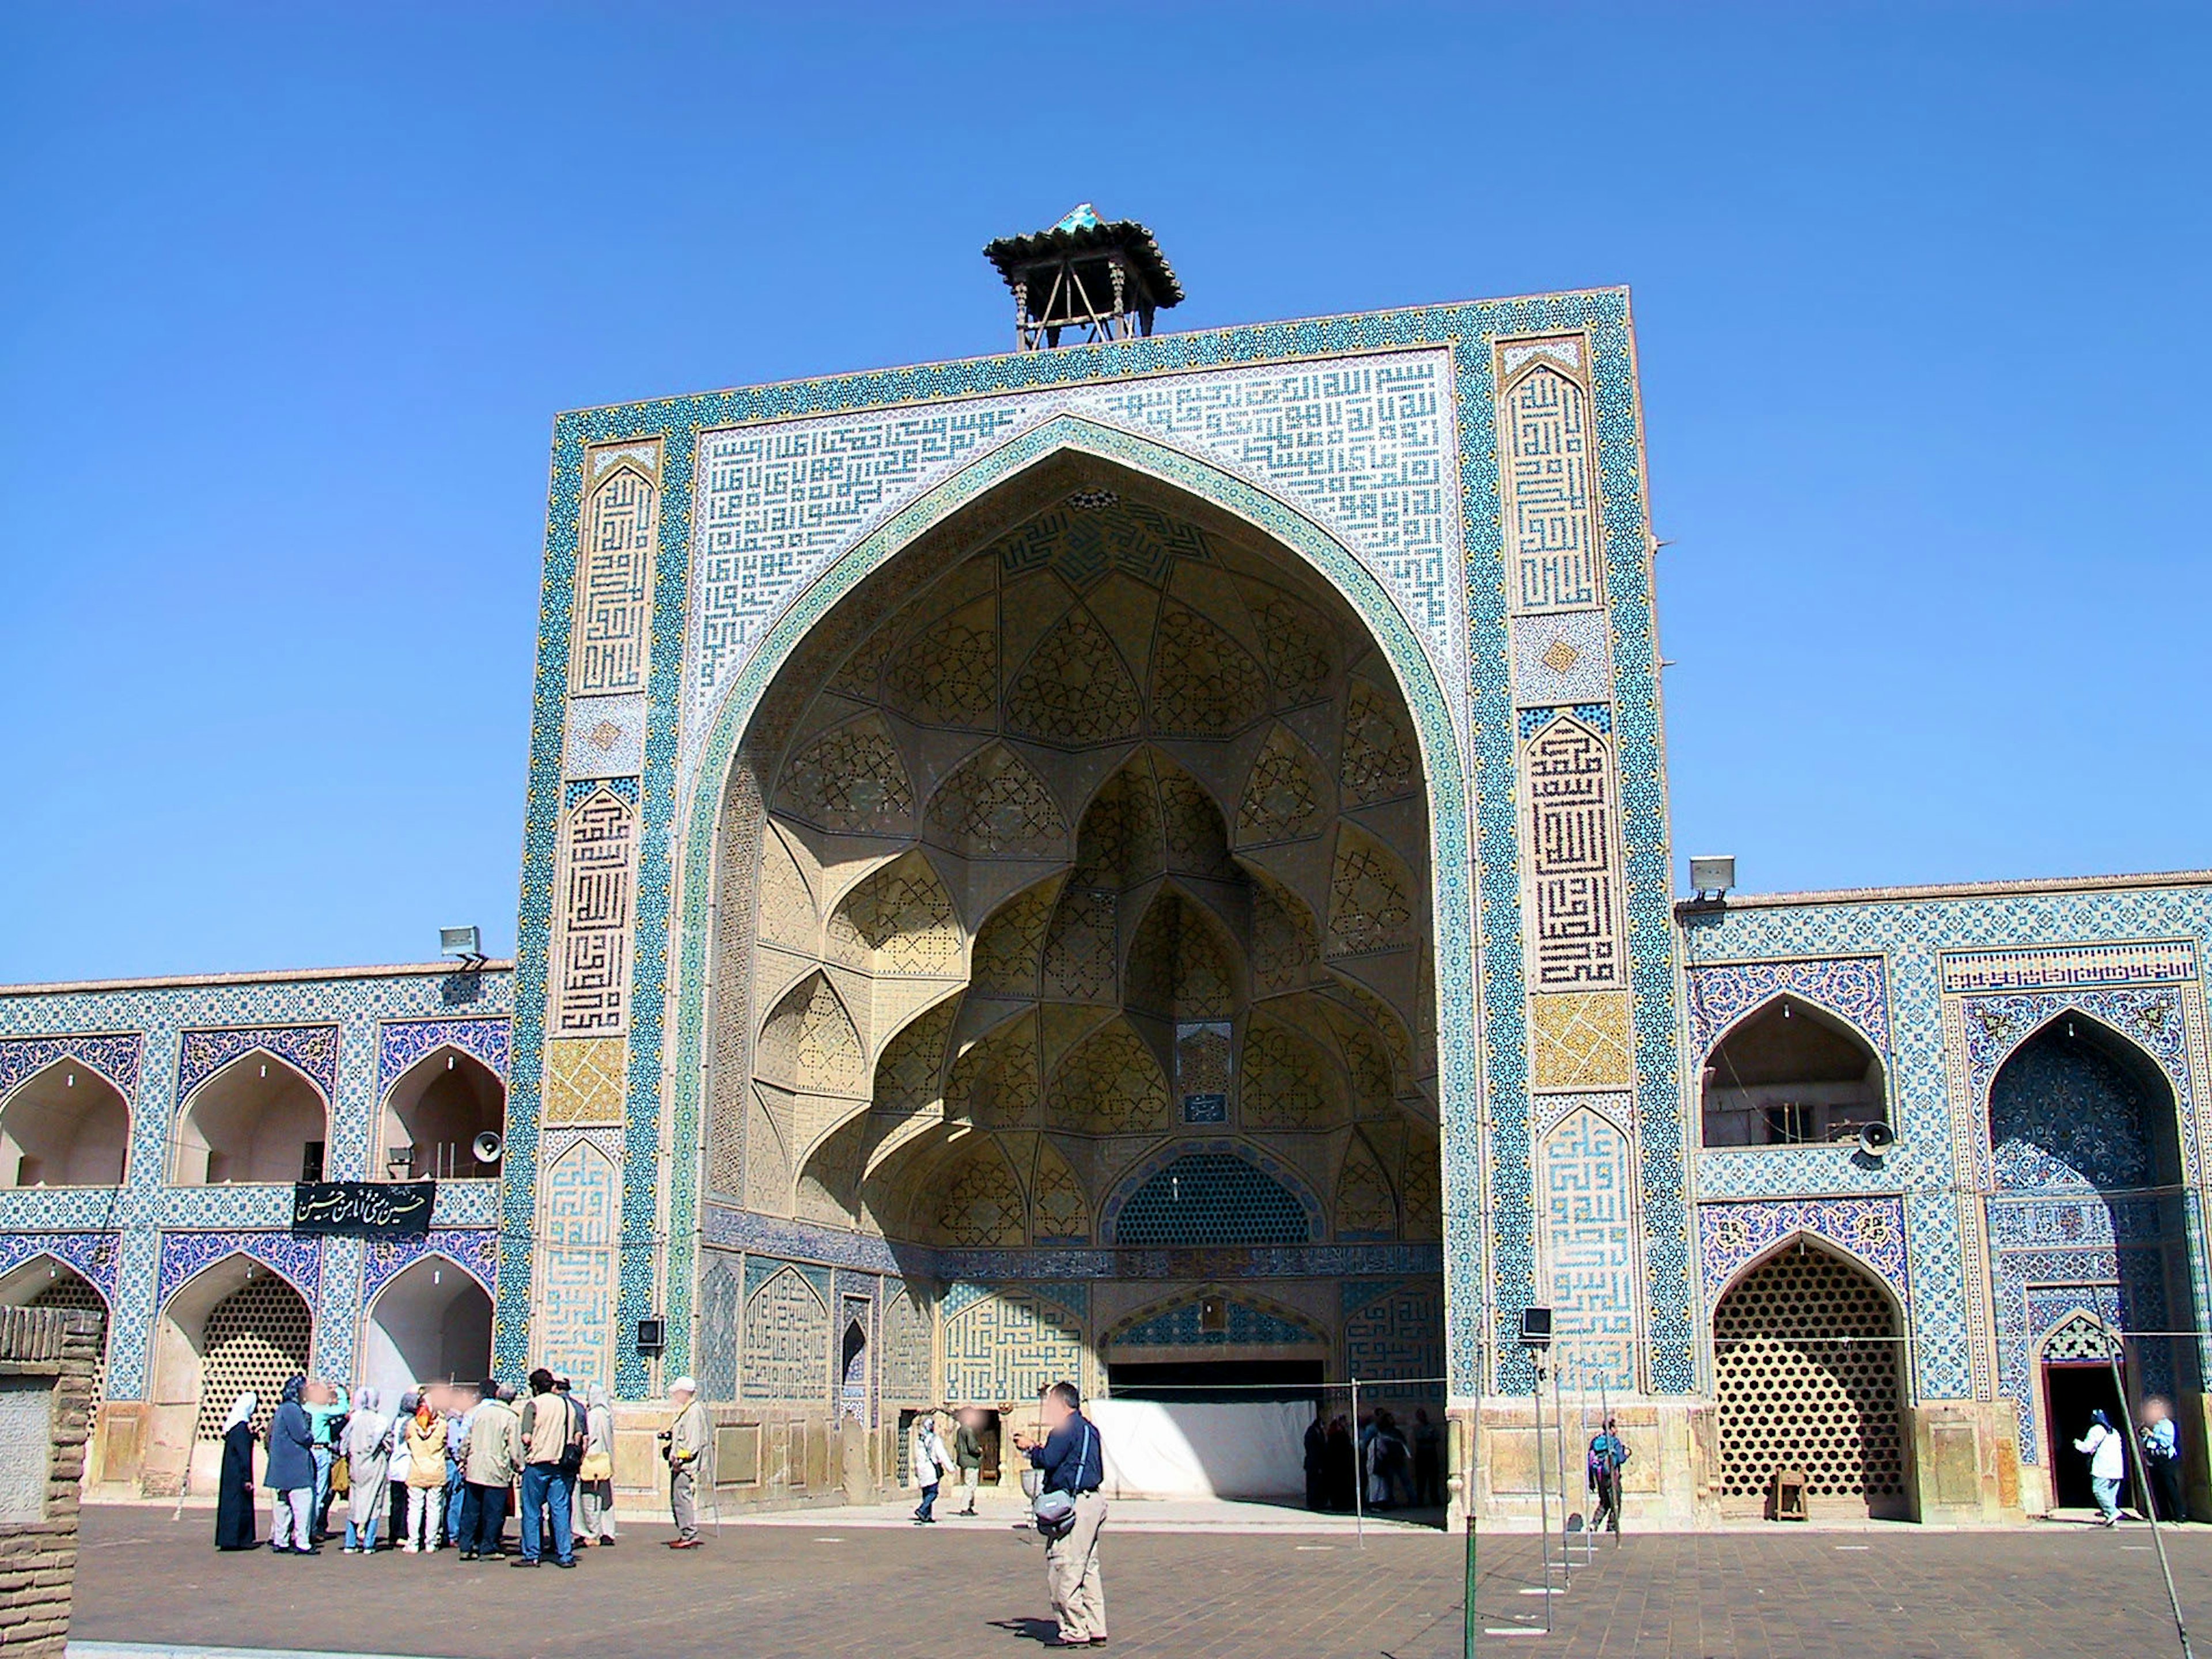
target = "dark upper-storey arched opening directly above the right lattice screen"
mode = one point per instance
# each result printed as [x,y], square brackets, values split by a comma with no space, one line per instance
[1793,1074]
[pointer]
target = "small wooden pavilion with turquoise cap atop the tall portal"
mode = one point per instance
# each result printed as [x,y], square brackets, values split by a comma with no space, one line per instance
[1103,278]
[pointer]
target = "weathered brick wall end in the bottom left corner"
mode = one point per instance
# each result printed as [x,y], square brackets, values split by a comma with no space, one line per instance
[48,1361]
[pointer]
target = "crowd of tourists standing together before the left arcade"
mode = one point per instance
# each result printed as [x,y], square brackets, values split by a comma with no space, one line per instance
[439,1470]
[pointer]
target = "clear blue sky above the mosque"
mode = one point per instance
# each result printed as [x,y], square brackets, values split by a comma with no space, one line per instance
[293,293]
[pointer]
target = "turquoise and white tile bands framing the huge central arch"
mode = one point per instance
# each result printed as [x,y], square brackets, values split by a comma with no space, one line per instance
[1193,435]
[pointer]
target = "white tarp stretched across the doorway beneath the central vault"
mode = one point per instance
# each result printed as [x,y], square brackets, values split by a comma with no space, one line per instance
[1169,1450]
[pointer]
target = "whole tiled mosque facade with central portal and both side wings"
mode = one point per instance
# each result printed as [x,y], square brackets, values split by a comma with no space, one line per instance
[1149,864]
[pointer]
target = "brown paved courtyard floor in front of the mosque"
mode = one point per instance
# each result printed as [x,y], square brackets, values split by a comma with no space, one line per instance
[979,1589]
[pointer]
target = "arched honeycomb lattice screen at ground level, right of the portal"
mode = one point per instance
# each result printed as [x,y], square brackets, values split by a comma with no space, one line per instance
[1808,1377]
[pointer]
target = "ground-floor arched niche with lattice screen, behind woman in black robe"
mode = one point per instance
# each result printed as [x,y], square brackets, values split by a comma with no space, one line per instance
[233,1326]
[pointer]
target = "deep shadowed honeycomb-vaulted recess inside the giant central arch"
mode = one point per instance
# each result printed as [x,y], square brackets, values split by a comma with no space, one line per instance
[1074,685]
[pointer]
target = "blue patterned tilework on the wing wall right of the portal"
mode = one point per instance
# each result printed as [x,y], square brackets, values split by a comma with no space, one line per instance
[1970,977]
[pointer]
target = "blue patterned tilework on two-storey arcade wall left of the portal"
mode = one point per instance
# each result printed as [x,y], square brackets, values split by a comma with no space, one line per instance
[158,1041]
